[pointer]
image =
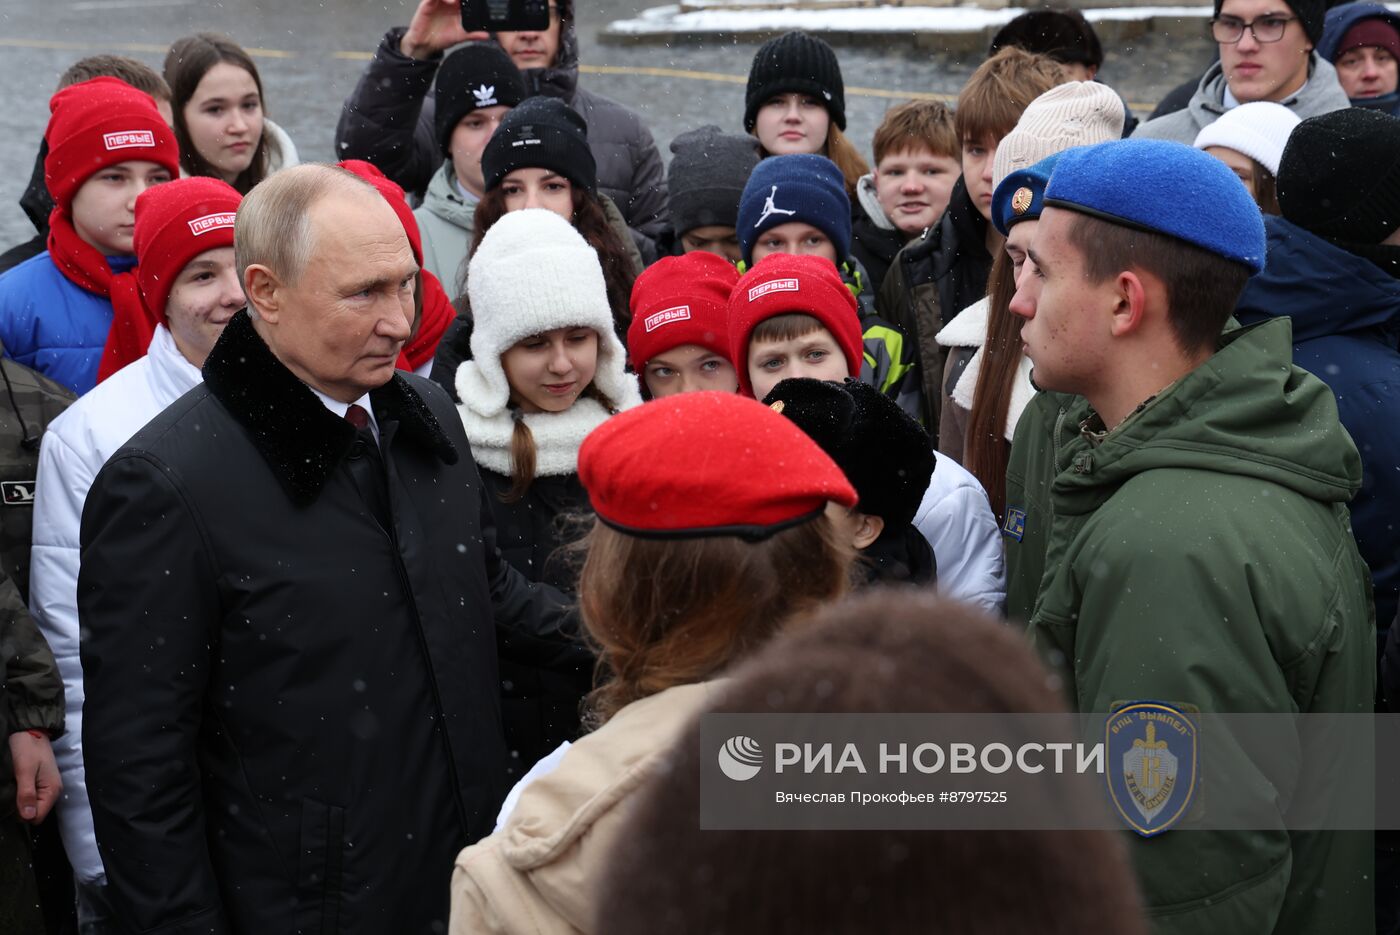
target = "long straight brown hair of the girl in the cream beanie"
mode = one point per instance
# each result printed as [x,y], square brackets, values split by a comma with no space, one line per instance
[986,447]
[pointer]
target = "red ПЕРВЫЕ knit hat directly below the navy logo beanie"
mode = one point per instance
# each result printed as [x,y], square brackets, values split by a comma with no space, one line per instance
[786,285]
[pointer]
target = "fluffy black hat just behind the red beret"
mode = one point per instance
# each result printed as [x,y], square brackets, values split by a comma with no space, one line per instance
[883,451]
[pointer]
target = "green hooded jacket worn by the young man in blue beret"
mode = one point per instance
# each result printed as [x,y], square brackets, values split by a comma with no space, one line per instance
[1202,555]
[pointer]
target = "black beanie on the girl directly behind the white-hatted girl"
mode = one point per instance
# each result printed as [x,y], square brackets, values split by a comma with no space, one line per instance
[541,134]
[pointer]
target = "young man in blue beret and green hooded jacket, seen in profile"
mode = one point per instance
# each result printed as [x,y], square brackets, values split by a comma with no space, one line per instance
[1199,552]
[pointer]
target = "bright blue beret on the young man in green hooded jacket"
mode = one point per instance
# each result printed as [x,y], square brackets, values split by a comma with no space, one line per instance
[1163,188]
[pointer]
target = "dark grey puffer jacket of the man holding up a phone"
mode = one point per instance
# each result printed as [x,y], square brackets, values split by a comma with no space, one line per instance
[388,121]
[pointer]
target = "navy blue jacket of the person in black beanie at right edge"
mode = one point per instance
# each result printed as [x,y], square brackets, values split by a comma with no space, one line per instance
[1346,314]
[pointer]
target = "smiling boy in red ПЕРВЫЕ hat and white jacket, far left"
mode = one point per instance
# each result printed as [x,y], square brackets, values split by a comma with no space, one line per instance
[169,314]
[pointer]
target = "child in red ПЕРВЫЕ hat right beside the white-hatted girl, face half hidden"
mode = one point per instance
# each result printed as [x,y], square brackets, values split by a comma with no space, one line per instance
[680,335]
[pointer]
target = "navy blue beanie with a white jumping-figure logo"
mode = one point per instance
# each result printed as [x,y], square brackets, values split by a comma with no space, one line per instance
[796,190]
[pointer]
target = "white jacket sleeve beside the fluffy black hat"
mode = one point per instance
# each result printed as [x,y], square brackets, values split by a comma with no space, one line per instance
[958,523]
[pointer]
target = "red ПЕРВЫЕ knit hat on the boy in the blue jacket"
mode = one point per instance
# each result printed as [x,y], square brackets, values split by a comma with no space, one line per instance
[99,124]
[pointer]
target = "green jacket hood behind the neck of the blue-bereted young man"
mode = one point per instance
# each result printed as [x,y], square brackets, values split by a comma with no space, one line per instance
[1247,411]
